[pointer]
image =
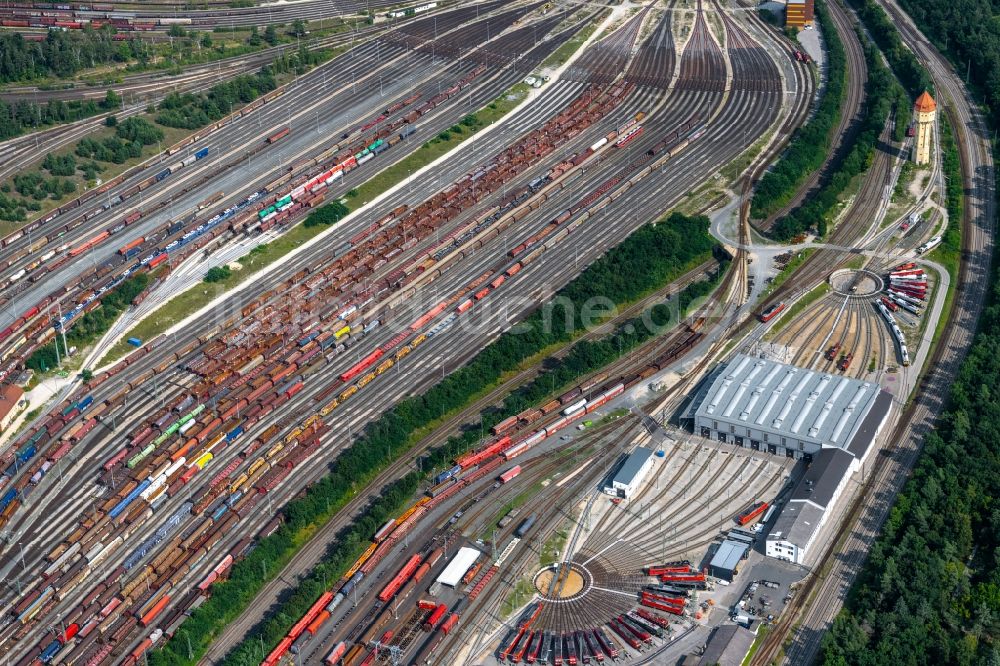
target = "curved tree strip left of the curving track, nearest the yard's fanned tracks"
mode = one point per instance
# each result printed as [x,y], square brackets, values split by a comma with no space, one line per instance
[809,145]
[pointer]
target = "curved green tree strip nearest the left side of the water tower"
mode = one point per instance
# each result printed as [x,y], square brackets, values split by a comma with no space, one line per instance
[882,94]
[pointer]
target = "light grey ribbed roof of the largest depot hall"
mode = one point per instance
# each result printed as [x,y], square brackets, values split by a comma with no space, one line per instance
[788,401]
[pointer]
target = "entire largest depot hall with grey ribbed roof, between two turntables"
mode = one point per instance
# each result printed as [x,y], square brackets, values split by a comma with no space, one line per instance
[769,406]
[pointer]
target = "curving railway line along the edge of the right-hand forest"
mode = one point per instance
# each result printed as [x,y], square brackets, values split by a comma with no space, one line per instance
[814,607]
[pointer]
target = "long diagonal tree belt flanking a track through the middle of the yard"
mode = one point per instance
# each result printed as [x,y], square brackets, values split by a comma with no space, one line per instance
[665,250]
